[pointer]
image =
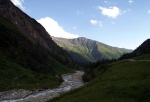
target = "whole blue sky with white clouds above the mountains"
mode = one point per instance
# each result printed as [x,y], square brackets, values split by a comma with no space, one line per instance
[119,23]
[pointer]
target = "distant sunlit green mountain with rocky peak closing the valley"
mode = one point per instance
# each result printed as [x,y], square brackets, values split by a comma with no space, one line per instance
[84,50]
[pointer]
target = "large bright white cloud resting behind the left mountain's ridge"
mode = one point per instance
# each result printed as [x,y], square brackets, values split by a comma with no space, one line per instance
[54,29]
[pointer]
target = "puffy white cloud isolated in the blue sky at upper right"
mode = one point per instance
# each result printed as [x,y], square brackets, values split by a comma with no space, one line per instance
[112,12]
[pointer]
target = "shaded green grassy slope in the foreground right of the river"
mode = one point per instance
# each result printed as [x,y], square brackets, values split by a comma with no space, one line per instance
[124,81]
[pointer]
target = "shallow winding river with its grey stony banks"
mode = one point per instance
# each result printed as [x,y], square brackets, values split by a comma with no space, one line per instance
[71,81]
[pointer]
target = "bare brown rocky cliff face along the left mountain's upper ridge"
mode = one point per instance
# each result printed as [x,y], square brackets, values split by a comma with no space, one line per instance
[30,27]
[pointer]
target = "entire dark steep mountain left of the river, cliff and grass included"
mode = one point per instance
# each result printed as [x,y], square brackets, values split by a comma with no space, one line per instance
[29,58]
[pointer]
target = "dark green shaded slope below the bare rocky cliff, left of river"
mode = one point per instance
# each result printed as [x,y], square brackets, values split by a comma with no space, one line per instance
[24,65]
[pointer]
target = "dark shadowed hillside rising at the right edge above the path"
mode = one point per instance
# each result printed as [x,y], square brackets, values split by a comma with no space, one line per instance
[144,48]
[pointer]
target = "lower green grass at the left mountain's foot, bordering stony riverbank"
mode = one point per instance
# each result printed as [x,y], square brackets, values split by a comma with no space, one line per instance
[15,76]
